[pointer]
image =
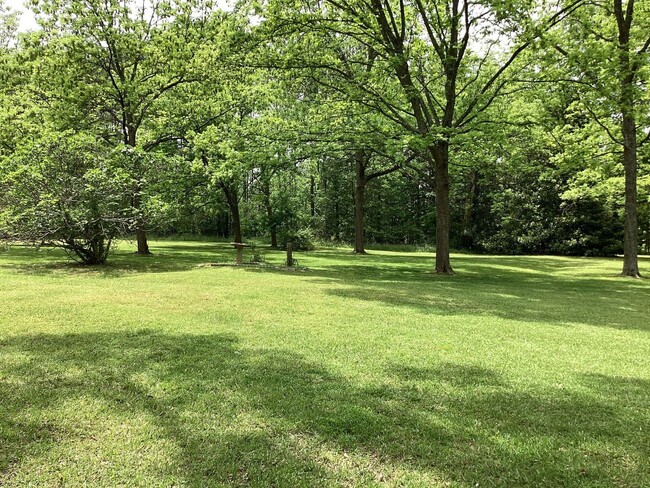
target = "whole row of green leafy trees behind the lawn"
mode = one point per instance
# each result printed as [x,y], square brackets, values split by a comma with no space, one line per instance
[494,126]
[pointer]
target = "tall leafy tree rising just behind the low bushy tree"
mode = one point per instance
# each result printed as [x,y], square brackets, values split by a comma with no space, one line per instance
[121,57]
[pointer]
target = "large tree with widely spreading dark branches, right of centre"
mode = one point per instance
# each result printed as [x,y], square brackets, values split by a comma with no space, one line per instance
[433,70]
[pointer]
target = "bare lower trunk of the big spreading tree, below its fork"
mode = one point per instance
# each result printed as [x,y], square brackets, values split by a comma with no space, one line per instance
[441,159]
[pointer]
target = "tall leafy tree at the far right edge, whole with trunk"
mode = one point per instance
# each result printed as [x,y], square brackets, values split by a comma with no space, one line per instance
[604,52]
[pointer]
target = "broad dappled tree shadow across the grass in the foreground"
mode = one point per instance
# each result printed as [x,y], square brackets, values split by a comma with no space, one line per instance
[269,417]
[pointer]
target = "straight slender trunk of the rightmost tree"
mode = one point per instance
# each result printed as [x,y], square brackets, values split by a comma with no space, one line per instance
[628,128]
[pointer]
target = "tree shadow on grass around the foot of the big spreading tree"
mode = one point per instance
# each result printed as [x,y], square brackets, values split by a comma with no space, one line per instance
[509,288]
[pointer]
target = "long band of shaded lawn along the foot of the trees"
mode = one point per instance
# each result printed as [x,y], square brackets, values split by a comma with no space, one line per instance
[554,290]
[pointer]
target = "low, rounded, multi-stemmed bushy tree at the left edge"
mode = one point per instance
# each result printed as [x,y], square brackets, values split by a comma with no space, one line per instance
[68,191]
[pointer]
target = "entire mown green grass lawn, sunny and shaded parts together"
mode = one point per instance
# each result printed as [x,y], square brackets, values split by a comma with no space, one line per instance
[359,371]
